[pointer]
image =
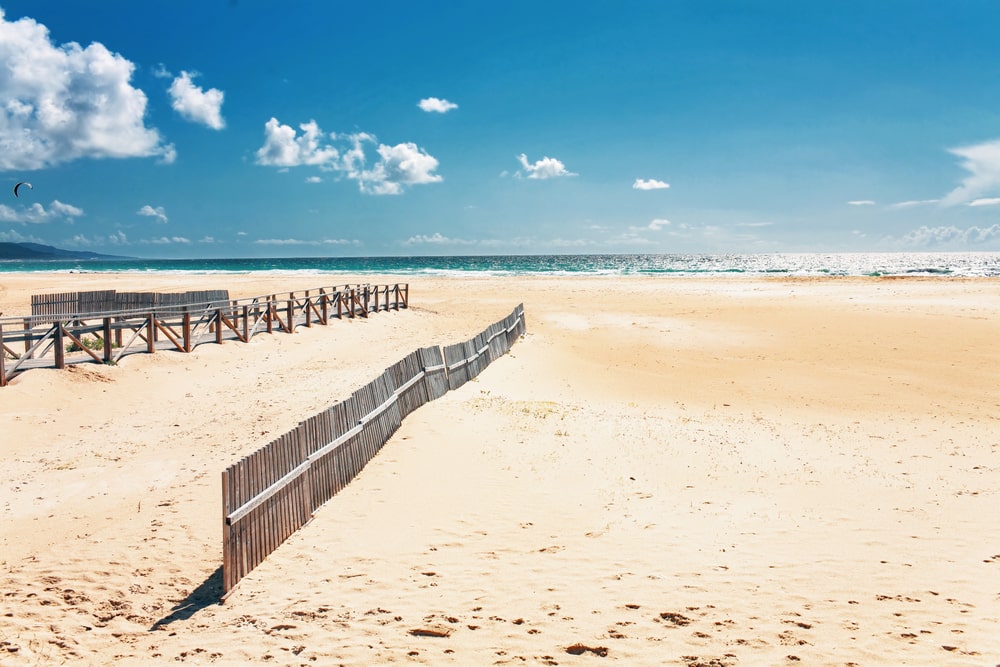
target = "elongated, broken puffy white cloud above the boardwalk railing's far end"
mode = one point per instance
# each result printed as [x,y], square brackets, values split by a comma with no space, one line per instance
[393,170]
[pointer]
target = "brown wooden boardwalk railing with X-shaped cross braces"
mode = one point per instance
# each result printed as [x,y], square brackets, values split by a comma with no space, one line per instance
[167,322]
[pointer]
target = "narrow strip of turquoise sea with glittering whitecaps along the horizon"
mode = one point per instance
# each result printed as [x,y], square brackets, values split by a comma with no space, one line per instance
[777,264]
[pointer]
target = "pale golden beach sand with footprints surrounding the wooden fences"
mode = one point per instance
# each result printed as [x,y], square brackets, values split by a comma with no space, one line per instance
[676,471]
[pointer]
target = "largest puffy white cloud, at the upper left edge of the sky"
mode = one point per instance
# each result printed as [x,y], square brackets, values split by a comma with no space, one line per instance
[61,103]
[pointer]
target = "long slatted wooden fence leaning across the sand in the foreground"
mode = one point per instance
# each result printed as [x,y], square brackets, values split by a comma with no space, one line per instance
[273,492]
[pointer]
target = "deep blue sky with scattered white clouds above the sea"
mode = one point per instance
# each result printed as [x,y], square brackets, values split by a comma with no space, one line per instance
[250,128]
